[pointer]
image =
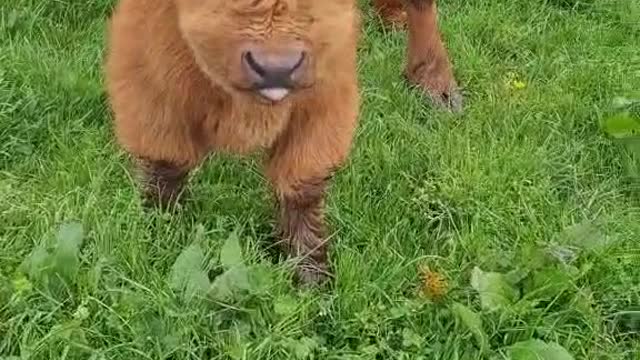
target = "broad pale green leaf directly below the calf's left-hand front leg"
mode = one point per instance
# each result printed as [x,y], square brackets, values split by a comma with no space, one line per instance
[187,275]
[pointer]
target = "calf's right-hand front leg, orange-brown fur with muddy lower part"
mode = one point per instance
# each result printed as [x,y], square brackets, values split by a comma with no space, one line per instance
[300,166]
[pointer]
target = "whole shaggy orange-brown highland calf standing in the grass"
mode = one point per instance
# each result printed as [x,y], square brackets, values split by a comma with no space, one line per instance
[187,78]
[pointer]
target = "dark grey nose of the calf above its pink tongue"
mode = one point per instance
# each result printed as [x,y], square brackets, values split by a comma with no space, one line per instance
[273,70]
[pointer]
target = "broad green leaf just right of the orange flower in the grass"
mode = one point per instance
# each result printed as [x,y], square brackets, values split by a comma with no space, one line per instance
[494,289]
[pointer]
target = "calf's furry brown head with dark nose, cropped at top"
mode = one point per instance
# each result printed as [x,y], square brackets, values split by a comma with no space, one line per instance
[269,49]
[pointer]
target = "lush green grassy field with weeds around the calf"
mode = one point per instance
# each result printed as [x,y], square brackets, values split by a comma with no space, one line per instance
[509,231]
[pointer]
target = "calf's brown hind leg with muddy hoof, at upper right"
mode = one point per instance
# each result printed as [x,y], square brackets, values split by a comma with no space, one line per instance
[428,64]
